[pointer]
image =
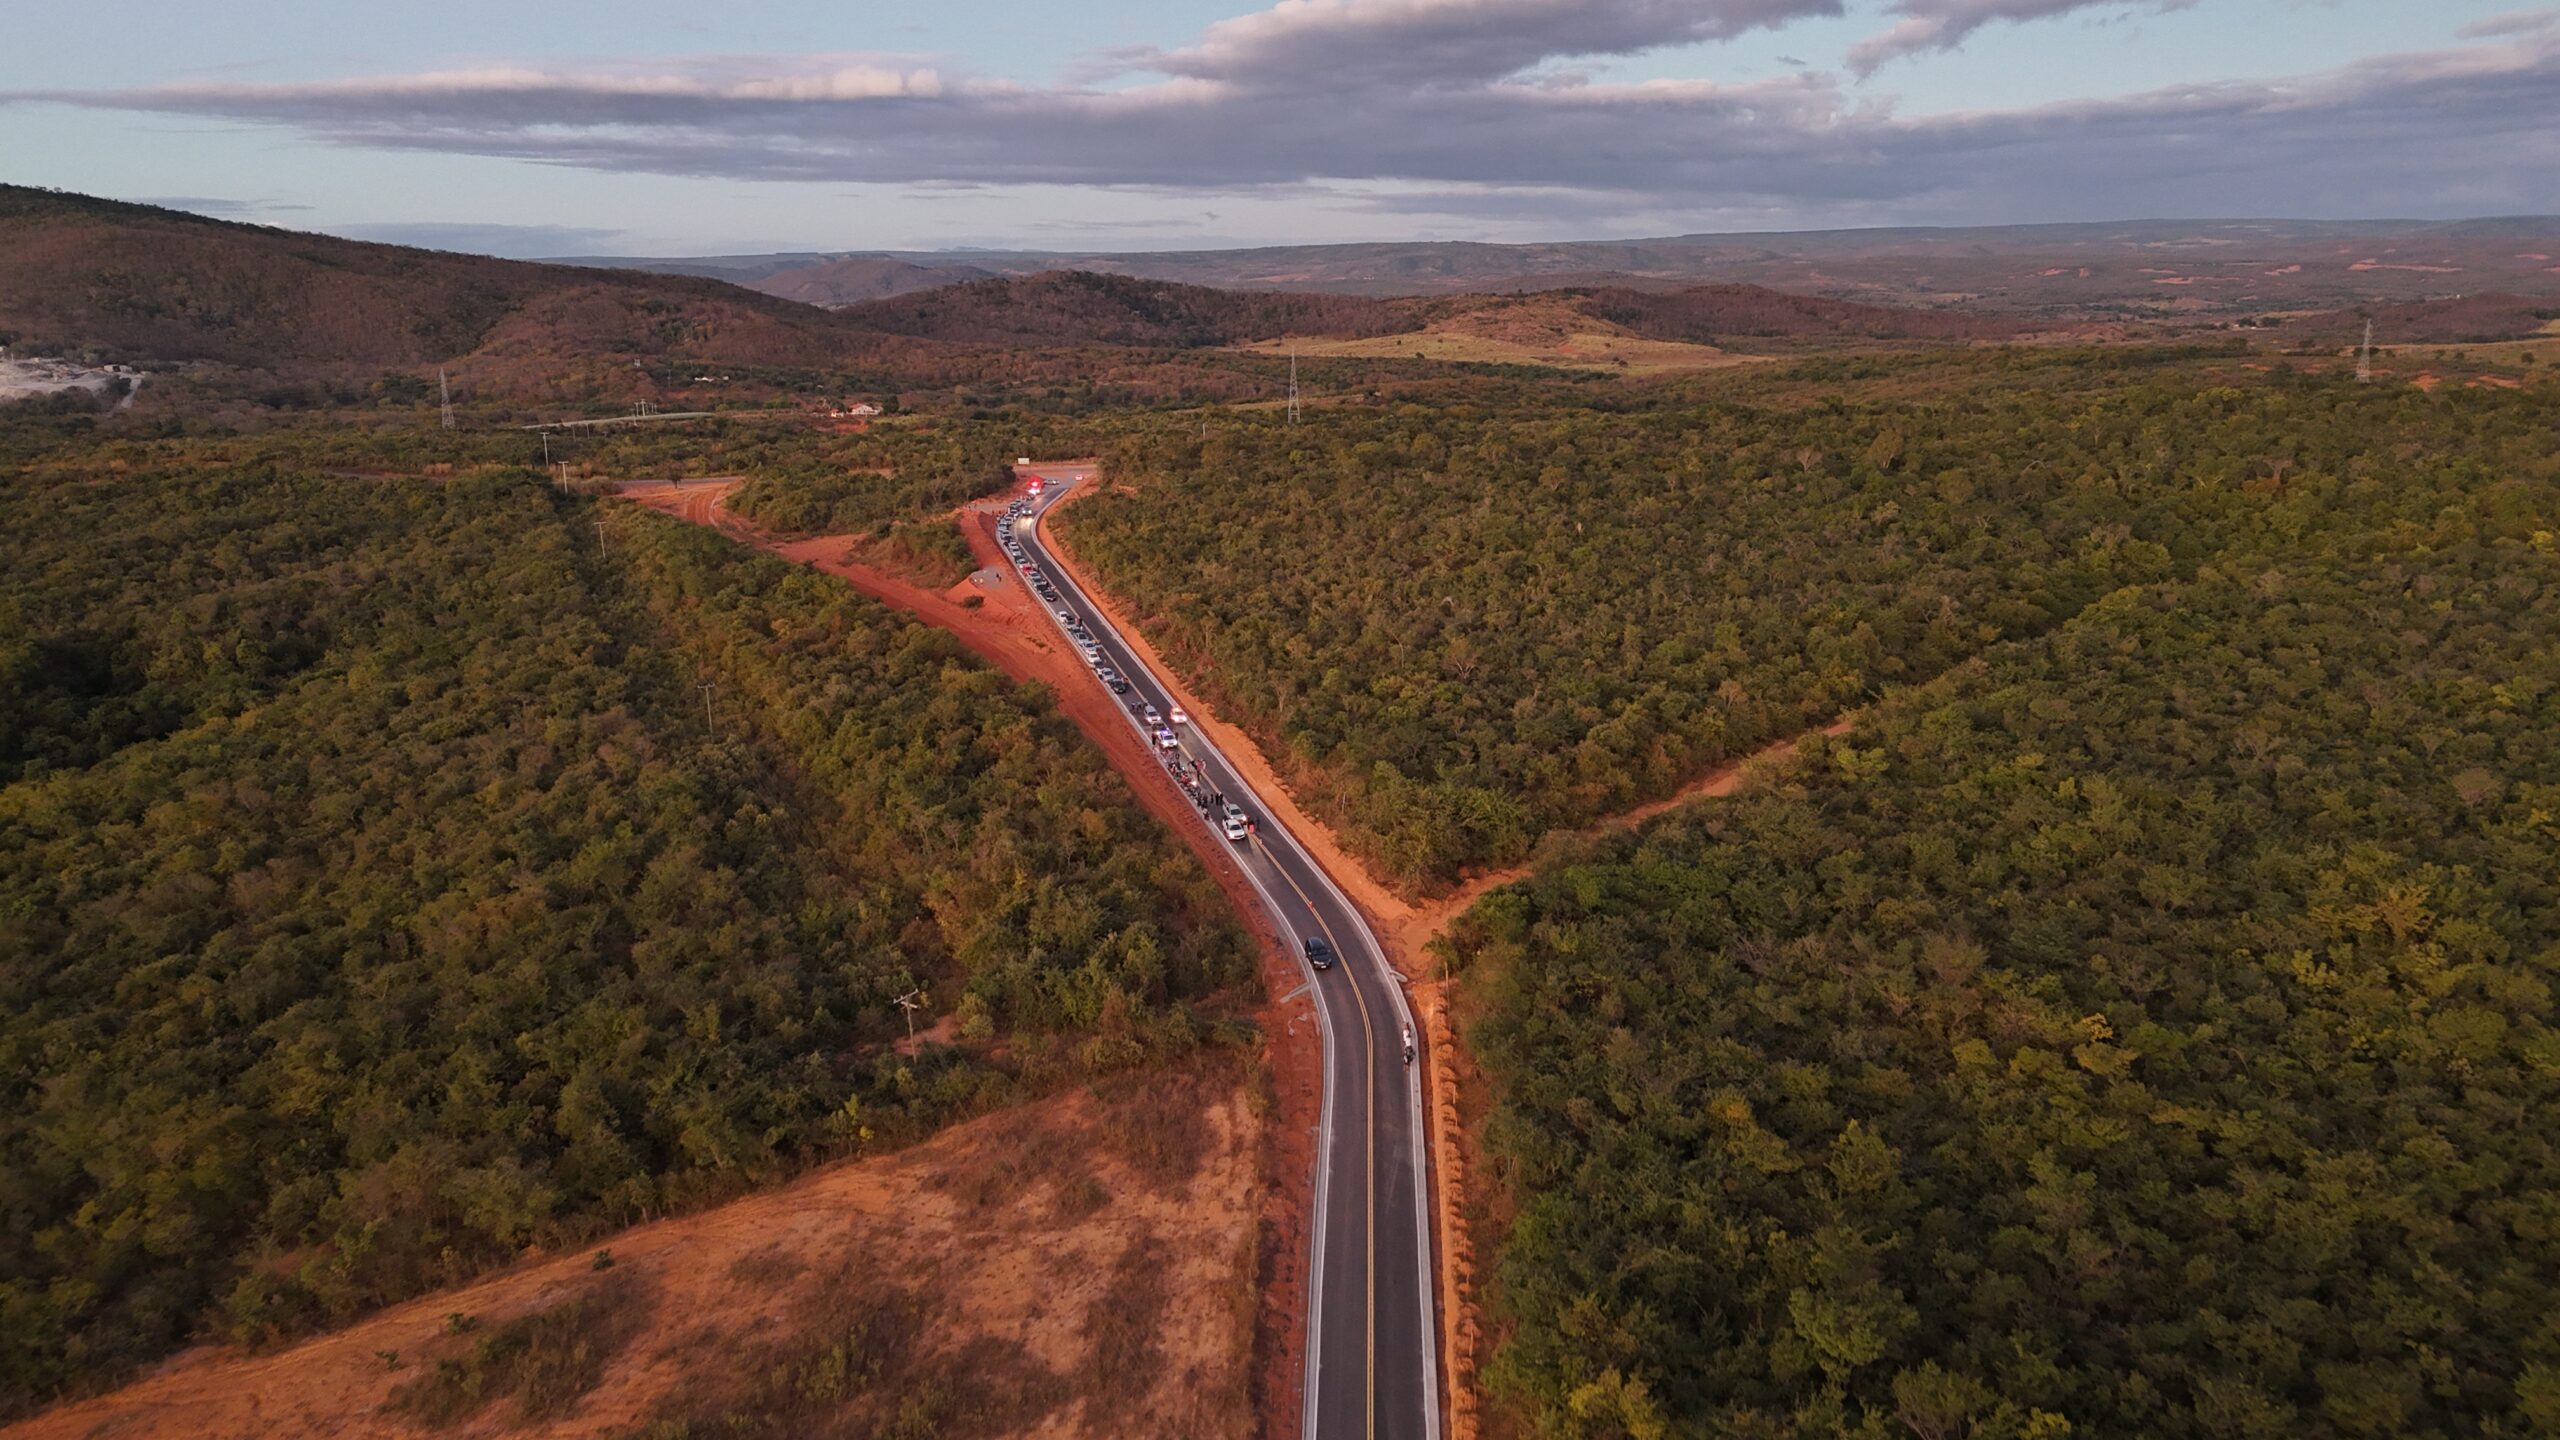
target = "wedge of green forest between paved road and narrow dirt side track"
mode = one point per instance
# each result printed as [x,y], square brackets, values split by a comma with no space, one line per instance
[1460,629]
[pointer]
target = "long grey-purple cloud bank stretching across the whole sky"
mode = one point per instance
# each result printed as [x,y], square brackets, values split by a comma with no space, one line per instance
[2420,135]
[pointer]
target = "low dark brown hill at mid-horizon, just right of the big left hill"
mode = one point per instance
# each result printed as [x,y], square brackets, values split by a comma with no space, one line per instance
[1117,311]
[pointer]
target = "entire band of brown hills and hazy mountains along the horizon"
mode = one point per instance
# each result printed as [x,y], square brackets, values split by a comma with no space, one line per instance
[140,283]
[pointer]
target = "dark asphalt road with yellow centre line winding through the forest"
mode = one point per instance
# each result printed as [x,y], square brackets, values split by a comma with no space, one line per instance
[1371,1359]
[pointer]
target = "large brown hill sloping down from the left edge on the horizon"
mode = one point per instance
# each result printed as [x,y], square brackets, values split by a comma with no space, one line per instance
[145,283]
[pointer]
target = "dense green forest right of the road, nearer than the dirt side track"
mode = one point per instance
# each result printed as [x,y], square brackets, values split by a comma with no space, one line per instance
[2139,1034]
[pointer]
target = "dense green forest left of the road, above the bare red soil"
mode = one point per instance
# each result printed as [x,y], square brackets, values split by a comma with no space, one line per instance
[378,898]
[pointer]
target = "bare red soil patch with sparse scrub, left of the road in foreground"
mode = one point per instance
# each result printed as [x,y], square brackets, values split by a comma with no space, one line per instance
[1071,1267]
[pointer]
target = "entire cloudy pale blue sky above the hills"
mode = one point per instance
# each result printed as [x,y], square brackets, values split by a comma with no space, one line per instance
[657,129]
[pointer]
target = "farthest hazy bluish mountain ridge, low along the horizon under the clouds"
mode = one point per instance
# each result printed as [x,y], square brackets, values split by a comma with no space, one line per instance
[2116,270]
